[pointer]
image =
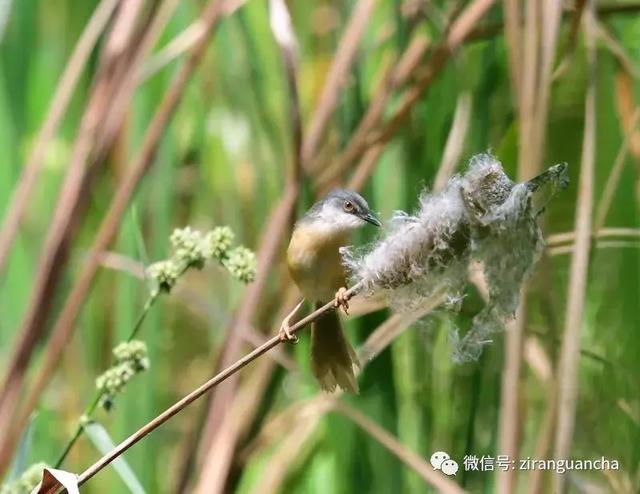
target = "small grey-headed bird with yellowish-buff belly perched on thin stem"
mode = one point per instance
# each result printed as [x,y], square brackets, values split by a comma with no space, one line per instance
[315,265]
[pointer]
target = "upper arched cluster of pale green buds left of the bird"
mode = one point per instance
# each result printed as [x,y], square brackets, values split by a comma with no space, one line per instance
[192,249]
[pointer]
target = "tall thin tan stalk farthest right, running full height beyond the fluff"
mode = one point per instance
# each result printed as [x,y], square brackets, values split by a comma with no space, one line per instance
[576,289]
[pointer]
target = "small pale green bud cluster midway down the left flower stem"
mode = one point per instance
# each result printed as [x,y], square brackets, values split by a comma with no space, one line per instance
[130,359]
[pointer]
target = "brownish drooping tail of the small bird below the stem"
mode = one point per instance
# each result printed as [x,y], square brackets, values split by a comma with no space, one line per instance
[333,359]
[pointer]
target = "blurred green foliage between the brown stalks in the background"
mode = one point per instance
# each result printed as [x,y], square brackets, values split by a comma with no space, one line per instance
[224,161]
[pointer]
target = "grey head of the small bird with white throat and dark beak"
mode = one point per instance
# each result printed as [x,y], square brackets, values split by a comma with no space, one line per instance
[340,210]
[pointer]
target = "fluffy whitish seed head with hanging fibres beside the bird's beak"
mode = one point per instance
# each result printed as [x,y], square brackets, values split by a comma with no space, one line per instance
[480,215]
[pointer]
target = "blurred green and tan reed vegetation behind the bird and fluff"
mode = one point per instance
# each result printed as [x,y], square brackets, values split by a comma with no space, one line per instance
[393,97]
